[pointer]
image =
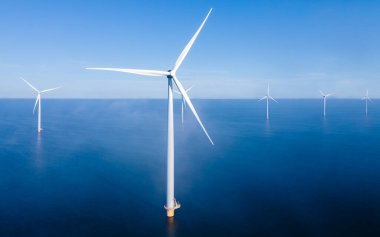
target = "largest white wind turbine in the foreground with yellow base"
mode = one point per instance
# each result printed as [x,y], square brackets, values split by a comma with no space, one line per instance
[171,203]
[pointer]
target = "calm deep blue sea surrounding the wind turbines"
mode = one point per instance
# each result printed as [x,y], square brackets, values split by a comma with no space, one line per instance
[99,169]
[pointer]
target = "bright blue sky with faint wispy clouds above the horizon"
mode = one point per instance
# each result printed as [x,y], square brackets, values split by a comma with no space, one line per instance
[298,47]
